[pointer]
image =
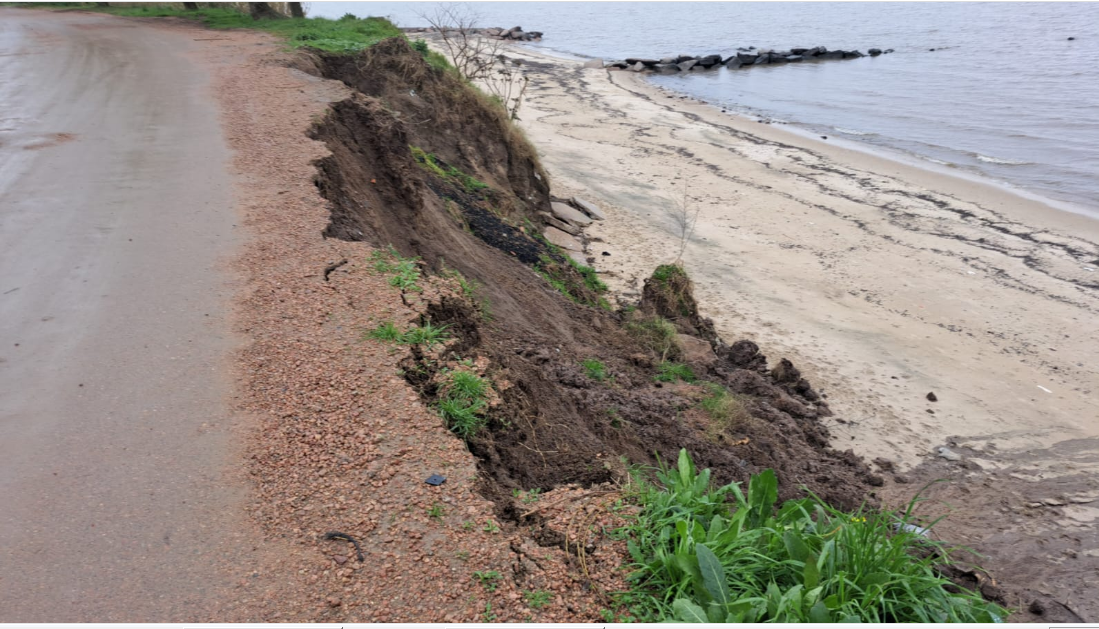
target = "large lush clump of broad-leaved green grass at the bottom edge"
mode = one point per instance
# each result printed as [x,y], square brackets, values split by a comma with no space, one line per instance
[700,560]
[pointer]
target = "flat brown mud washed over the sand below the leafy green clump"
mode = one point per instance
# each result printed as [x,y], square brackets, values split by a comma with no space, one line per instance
[1028,514]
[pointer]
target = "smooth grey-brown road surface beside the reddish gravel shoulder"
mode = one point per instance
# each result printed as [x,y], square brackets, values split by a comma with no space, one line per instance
[117,488]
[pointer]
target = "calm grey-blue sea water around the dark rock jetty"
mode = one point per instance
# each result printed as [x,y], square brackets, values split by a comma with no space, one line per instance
[1004,96]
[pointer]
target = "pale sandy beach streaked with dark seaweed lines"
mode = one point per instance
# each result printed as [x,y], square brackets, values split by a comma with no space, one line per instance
[881,281]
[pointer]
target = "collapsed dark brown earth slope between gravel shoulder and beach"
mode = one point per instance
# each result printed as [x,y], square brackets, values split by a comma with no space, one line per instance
[554,425]
